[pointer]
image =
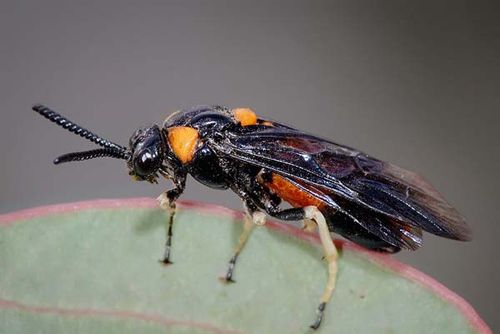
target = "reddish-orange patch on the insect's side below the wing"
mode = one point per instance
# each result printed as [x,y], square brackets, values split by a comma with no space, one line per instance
[290,193]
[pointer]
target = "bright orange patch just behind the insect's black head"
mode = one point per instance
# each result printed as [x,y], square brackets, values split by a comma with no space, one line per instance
[183,140]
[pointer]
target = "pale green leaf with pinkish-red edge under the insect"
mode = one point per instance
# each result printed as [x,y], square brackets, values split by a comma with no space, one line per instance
[92,267]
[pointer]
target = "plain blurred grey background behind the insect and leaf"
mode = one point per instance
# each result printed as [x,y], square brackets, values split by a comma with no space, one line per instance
[412,82]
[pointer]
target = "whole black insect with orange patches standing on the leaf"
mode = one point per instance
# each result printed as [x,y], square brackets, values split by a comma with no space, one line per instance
[329,186]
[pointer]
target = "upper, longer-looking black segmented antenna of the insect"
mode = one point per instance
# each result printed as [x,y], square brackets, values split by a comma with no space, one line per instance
[76,129]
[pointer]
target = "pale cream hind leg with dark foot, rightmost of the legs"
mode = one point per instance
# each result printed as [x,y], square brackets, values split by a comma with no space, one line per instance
[331,256]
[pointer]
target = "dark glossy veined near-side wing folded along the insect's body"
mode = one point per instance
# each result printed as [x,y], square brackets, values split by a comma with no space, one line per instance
[350,181]
